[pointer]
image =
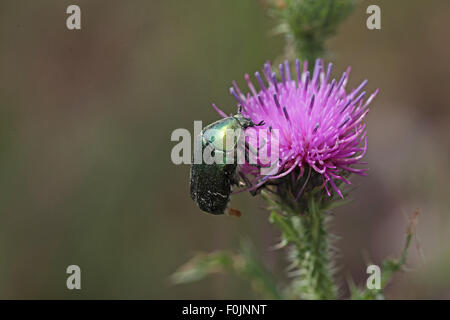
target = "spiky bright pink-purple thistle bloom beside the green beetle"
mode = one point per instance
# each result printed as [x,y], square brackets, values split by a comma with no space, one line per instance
[321,126]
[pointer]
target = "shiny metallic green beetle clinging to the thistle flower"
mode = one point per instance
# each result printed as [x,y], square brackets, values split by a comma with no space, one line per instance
[211,184]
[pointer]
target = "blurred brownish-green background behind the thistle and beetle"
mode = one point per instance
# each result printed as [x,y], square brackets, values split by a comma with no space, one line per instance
[85,124]
